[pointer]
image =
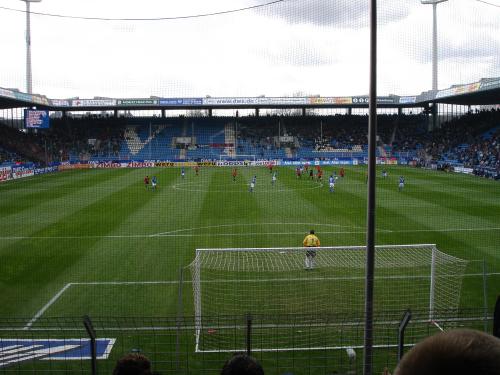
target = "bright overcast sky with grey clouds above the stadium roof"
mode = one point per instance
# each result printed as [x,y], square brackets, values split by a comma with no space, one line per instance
[294,46]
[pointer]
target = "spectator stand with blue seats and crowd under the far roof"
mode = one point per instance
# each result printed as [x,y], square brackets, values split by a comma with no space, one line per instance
[471,140]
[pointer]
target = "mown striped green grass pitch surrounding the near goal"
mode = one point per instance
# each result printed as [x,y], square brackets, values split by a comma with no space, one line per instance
[95,229]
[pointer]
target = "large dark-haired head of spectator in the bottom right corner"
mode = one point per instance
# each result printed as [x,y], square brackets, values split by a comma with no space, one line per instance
[457,352]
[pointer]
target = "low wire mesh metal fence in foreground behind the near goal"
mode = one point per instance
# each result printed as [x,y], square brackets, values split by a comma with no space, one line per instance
[283,344]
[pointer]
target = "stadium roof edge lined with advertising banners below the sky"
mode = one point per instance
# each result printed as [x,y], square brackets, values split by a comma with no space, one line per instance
[485,91]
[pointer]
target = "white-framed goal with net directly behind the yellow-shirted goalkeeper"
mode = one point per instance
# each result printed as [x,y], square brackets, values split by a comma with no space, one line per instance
[273,286]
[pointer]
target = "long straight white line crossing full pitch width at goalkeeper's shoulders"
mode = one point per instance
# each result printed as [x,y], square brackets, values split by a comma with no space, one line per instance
[245,234]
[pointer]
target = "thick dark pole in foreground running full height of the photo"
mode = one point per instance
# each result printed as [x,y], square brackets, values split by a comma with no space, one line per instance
[370,230]
